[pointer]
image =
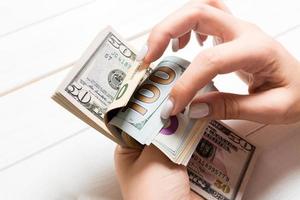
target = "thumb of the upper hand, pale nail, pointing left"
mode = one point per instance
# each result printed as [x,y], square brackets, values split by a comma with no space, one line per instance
[267,107]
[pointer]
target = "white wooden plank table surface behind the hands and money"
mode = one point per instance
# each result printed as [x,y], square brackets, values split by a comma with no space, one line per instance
[47,153]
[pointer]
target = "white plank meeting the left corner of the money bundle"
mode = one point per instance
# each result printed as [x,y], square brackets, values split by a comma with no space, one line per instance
[32,121]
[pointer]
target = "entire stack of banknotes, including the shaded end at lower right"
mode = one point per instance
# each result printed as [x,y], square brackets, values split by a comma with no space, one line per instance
[122,99]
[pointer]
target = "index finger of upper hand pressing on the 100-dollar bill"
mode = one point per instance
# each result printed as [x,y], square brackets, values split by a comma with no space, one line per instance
[223,58]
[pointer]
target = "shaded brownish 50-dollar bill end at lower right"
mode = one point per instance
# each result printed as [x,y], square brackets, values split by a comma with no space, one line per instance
[221,164]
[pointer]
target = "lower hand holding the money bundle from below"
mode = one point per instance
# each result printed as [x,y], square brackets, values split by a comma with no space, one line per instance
[149,174]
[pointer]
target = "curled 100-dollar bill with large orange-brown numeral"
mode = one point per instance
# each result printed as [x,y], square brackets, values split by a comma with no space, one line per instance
[141,117]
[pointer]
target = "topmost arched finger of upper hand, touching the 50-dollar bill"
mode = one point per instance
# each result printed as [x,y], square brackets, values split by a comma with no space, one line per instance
[201,18]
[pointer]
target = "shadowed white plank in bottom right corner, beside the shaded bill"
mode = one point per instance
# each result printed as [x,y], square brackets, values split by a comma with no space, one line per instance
[276,175]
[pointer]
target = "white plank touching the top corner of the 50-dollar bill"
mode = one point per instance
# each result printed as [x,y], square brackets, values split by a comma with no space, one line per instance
[45,47]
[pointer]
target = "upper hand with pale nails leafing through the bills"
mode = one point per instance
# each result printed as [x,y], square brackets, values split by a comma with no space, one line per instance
[271,72]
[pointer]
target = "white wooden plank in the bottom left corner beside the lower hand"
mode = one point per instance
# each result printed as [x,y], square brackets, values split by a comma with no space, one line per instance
[79,168]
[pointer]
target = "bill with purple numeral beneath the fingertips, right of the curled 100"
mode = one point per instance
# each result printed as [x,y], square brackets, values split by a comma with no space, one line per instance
[180,135]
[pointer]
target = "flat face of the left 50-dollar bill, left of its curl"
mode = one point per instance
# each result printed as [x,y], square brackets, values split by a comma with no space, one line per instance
[97,82]
